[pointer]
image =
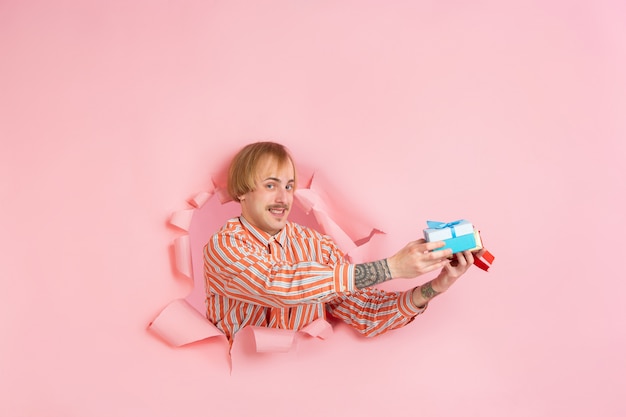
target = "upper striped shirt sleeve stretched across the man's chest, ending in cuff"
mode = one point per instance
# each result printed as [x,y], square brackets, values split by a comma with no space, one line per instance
[238,268]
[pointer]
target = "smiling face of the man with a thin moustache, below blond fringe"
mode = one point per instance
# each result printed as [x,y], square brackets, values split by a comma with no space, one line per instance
[269,204]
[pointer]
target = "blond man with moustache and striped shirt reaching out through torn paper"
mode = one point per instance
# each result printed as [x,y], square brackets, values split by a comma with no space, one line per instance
[263,270]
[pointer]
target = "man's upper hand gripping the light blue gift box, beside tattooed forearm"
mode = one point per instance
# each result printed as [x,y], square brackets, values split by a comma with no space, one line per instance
[417,258]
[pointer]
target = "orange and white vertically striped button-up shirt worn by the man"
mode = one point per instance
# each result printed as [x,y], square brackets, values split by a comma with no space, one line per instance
[289,280]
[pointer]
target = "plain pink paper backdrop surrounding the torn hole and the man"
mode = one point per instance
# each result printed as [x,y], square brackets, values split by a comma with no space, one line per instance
[509,113]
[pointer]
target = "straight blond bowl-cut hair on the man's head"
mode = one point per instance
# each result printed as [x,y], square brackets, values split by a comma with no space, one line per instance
[243,169]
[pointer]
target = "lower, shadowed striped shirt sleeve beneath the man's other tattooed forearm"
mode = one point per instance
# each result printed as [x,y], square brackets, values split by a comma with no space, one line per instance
[373,312]
